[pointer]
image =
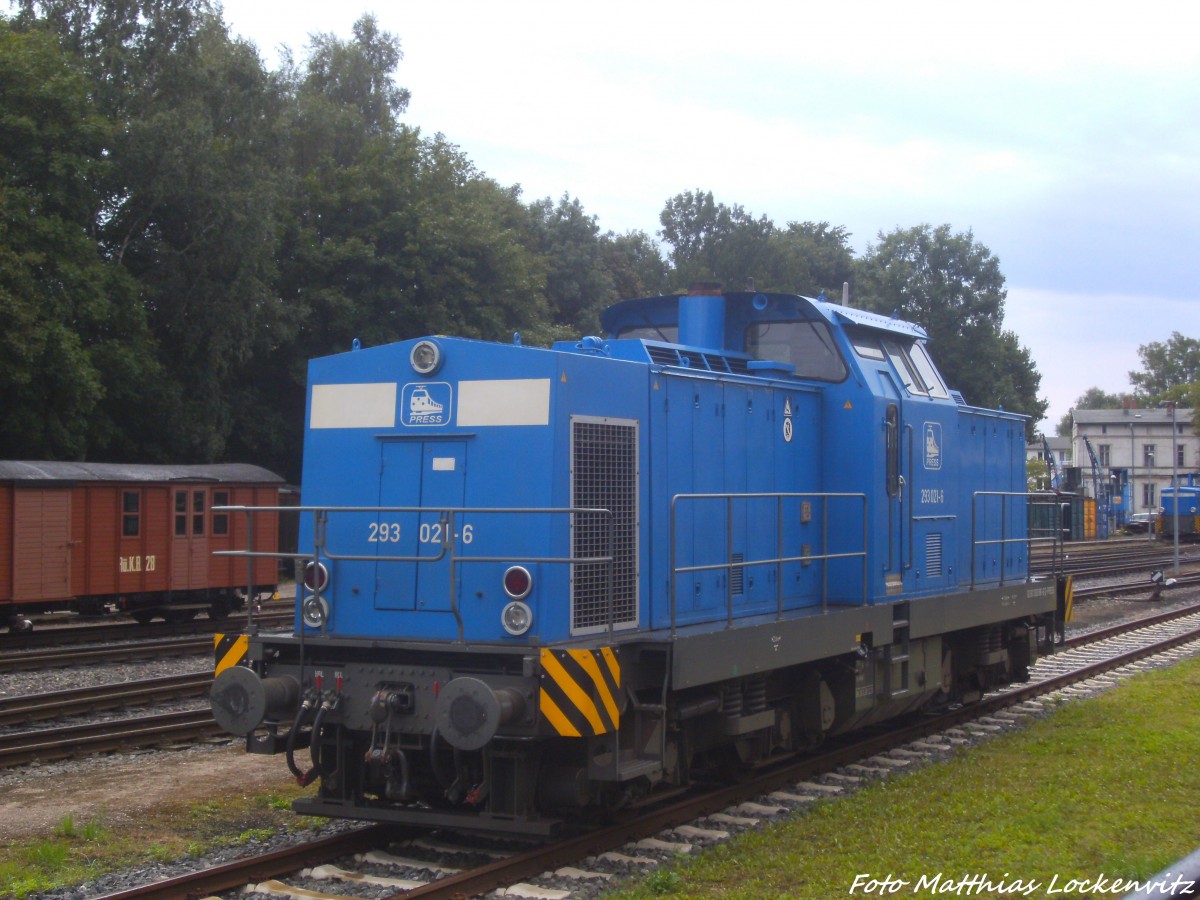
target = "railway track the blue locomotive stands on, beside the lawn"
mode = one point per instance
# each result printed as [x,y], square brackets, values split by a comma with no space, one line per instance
[635,843]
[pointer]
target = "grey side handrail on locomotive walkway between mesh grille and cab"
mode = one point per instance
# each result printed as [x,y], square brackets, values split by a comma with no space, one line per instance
[779,560]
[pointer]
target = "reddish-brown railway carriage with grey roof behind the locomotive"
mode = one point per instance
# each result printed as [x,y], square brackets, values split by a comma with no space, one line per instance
[93,537]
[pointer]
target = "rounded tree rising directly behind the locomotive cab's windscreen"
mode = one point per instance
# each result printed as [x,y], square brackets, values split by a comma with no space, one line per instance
[953,287]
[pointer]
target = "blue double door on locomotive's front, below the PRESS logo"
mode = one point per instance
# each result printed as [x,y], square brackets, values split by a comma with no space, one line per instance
[441,485]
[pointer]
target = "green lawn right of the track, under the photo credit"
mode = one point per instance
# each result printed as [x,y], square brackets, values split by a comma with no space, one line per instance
[1105,787]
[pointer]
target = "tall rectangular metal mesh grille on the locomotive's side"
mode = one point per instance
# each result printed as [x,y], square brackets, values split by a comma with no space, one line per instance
[604,476]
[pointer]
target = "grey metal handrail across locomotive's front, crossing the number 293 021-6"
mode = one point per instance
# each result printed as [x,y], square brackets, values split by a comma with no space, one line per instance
[448,539]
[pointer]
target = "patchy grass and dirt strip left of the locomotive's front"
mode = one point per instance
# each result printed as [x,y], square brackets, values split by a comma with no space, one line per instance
[75,853]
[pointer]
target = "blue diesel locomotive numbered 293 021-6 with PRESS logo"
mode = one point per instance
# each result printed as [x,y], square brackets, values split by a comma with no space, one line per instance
[549,581]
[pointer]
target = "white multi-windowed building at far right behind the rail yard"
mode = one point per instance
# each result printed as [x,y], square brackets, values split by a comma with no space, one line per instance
[1136,452]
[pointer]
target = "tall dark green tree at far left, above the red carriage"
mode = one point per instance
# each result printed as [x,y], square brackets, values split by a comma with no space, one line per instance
[73,337]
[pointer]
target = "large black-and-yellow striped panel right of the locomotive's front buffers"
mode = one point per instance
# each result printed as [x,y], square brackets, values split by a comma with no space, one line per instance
[580,691]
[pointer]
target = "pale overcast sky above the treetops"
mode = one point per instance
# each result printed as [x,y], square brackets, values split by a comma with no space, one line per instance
[1066,136]
